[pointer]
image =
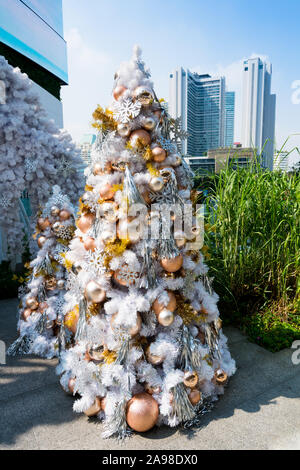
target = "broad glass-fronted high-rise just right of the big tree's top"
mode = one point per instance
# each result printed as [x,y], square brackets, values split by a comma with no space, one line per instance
[200,102]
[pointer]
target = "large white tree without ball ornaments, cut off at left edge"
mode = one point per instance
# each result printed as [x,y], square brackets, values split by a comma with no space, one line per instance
[34,154]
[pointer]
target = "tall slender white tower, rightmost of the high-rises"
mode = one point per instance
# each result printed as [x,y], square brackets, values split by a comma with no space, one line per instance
[259,108]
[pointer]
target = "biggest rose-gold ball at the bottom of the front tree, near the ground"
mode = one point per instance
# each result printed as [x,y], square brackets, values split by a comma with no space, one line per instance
[142,412]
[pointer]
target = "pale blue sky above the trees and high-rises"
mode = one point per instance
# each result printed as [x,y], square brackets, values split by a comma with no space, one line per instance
[209,37]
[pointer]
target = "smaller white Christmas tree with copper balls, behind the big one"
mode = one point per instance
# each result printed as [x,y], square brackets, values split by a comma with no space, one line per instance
[41,319]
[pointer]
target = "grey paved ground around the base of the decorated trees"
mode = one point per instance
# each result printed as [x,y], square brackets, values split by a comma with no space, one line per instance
[260,409]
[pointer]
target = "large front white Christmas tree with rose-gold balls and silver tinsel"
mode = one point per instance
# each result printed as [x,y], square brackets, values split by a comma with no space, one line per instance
[149,347]
